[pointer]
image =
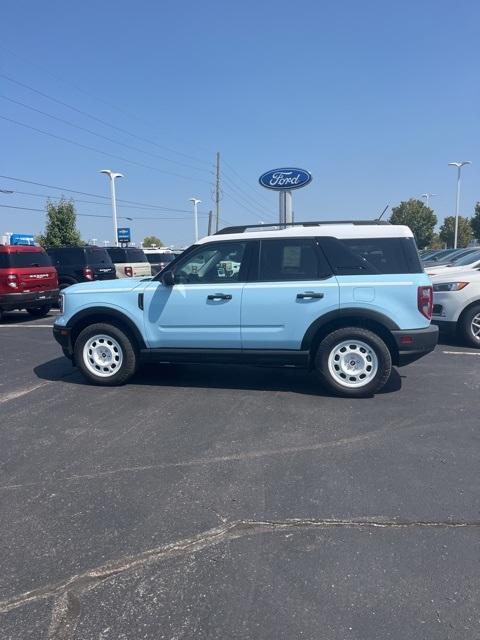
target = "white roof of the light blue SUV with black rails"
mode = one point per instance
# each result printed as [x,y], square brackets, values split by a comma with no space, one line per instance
[351,230]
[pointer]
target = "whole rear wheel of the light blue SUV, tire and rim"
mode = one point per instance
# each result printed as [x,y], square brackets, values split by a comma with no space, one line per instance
[329,347]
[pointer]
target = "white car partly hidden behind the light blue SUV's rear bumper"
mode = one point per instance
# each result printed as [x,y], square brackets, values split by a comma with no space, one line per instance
[456,304]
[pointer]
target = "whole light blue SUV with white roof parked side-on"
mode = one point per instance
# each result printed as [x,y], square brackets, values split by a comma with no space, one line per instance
[347,299]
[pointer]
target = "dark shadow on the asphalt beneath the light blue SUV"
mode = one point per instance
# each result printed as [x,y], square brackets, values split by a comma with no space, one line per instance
[210,376]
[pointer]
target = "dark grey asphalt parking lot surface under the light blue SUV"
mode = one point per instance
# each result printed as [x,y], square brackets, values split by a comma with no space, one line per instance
[227,502]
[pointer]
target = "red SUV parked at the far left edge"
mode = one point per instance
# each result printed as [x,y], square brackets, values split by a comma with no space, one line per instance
[27,280]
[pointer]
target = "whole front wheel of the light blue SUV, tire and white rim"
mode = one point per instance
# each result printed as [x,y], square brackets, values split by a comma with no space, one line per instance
[105,355]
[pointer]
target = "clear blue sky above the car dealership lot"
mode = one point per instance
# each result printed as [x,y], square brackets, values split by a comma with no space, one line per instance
[373,97]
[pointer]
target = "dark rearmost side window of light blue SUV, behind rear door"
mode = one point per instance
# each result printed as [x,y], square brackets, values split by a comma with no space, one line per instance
[372,255]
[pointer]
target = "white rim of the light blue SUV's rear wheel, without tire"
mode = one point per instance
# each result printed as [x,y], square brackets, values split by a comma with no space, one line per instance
[352,363]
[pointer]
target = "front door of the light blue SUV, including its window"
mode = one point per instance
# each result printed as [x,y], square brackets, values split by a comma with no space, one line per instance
[202,309]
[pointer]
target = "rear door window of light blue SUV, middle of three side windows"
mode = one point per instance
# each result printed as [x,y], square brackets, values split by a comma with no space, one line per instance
[291,259]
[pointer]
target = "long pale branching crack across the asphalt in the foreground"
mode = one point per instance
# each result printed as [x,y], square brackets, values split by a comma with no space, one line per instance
[67,593]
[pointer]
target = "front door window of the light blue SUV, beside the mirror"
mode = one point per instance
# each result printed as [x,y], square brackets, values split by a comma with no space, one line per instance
[217,262]
